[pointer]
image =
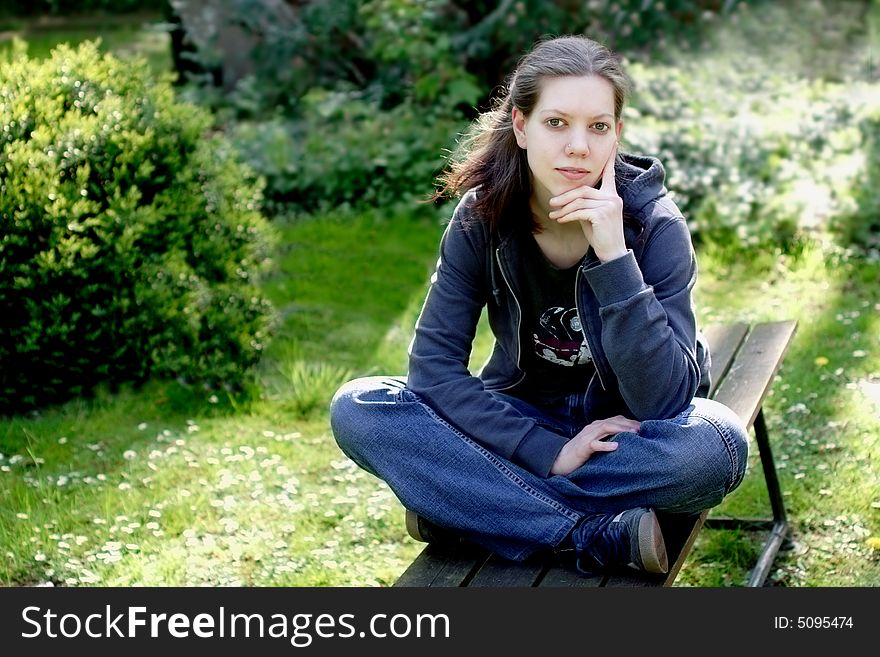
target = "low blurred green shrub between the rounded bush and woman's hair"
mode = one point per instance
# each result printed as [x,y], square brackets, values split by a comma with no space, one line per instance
[346,152]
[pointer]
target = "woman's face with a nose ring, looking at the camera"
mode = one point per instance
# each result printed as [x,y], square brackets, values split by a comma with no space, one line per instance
[569,135]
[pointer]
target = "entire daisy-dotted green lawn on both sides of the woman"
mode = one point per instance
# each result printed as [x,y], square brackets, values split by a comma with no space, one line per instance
[161,486]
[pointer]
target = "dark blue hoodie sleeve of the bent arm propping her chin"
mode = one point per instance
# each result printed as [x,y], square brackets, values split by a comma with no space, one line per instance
[648,323]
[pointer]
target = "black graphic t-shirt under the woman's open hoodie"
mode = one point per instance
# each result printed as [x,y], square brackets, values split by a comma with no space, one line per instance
[554,348]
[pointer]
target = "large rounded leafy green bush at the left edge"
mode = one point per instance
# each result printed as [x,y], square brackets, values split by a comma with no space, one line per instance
[131,239]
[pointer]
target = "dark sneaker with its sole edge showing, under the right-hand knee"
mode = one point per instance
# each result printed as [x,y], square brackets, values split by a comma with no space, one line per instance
[631,538]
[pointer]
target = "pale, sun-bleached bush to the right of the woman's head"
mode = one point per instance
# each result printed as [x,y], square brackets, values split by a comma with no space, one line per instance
[753,157]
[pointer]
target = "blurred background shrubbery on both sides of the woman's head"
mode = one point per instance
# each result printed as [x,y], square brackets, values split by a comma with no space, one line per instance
[359,101]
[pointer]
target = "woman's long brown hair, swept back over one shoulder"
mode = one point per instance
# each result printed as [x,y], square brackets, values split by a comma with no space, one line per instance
[488,156]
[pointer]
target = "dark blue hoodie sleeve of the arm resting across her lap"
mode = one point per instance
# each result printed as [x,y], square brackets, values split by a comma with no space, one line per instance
[441,349]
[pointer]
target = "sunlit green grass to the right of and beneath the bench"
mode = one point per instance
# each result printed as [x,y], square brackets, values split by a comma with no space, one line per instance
[822,415]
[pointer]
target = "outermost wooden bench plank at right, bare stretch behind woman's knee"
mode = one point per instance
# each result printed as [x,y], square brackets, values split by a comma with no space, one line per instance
[749,378]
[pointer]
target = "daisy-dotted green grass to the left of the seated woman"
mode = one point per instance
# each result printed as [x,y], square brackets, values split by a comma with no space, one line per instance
[128,488]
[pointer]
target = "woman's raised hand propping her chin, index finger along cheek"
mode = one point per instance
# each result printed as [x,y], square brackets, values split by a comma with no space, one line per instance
[599,211]
